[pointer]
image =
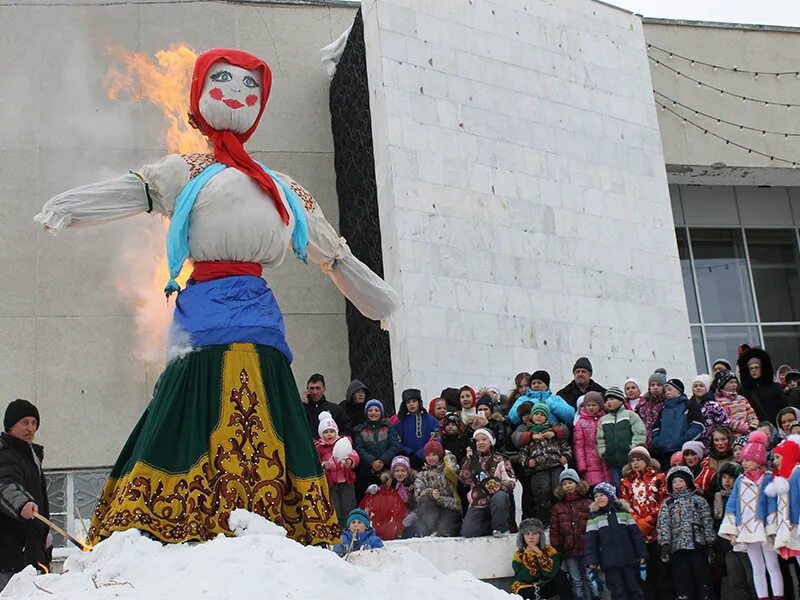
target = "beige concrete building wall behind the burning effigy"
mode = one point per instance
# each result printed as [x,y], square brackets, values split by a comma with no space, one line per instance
[66,334]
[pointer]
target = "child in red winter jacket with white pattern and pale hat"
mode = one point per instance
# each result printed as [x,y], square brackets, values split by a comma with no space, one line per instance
[644,488]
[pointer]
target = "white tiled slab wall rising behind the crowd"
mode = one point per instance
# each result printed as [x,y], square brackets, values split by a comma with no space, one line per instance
[522,192]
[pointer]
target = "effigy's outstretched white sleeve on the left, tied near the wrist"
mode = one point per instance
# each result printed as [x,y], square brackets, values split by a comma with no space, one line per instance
[152,188]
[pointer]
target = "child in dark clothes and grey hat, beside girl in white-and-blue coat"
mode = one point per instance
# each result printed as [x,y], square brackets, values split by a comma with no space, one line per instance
[734,567]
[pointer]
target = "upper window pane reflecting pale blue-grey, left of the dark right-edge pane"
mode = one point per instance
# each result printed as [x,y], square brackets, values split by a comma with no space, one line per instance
[722,277]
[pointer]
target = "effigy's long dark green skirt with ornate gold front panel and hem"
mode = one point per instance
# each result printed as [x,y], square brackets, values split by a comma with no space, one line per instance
[226,429]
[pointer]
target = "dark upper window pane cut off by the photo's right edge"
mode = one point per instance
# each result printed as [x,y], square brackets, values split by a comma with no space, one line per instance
[775,264]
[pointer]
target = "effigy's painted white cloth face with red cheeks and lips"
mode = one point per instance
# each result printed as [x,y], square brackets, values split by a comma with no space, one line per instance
[231,97]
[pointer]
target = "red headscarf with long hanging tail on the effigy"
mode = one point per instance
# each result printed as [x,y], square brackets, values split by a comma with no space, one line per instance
[228,148]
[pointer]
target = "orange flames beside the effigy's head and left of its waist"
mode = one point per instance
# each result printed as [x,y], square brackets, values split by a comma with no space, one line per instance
[163,80]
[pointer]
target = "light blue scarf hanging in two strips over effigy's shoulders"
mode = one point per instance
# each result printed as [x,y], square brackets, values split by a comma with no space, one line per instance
[178,232]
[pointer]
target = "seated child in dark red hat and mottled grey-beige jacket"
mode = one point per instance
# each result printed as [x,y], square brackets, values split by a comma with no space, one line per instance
[438,507]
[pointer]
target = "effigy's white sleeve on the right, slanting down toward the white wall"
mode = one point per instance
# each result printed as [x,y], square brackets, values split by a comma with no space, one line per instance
[370,294]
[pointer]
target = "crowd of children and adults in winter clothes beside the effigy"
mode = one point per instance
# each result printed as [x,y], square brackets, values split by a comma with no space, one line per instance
[660,491]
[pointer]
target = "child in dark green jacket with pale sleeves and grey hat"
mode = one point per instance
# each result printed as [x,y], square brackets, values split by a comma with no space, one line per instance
[618,431]
